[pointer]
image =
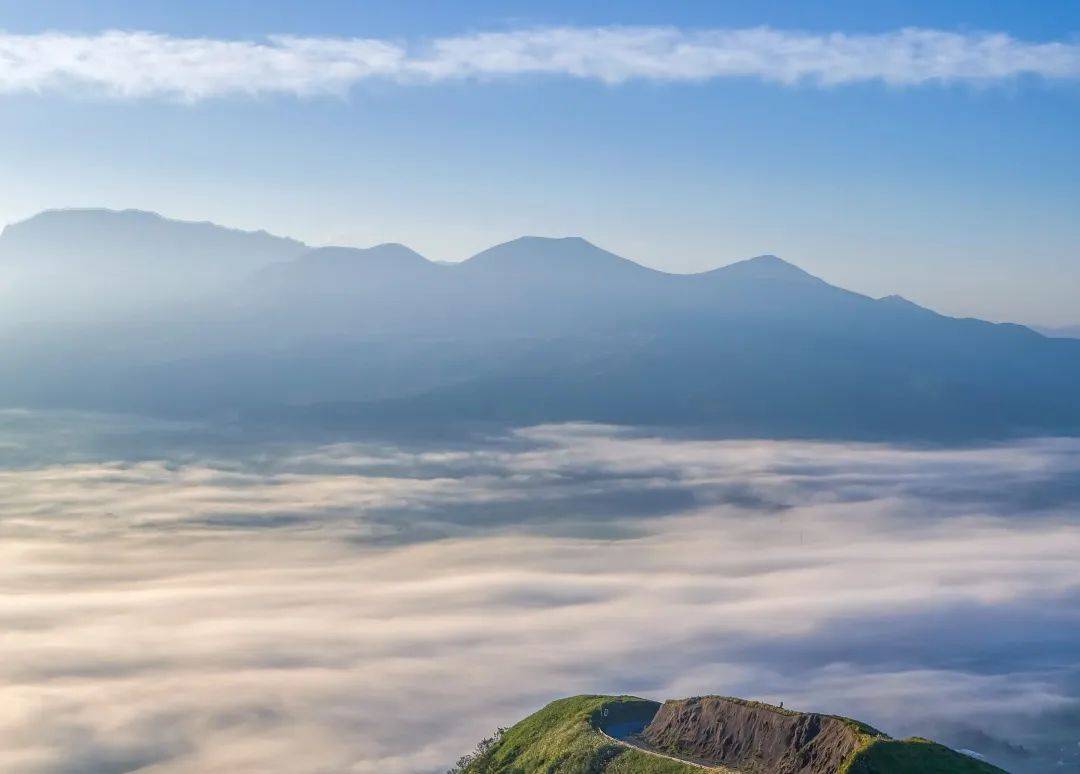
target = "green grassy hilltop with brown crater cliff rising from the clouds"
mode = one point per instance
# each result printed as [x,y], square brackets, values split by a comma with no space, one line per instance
[631,736]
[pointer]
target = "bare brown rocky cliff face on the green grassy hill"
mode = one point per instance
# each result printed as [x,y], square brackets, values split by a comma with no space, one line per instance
[752,738]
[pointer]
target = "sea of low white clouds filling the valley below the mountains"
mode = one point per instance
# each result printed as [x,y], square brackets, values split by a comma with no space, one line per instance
[371,608]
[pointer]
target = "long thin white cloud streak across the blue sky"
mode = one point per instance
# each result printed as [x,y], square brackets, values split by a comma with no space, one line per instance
[140,64]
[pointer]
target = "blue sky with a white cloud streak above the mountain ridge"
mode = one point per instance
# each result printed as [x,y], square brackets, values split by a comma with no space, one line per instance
[960,192]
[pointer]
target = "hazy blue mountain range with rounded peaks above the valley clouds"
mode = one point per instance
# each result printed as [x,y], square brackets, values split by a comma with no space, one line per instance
[131,311]
